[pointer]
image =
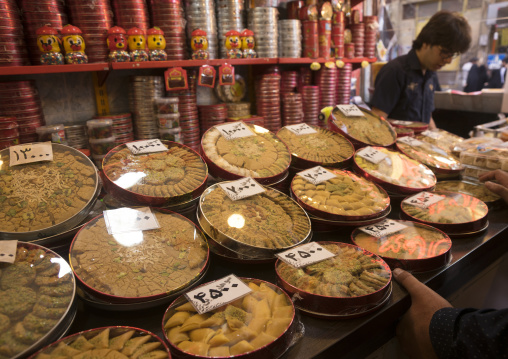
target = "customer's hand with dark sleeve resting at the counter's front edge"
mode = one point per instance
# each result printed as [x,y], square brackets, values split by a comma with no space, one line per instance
[413,329]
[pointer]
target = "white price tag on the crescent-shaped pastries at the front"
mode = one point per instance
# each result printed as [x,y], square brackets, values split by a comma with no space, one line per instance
[217,293]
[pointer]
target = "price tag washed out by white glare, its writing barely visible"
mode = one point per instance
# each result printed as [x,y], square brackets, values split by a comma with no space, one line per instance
[124,220]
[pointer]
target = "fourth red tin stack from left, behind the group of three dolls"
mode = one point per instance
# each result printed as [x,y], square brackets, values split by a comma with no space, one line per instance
[131,13]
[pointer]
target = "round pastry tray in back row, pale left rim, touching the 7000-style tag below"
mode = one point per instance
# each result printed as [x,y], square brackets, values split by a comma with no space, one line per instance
[261,156]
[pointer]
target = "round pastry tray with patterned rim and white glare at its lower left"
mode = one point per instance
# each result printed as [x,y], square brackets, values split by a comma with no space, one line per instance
[165,178]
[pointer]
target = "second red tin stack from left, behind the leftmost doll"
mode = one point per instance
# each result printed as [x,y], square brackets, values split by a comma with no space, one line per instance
[36,14]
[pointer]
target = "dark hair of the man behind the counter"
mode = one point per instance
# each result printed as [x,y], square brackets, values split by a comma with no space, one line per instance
[447,29]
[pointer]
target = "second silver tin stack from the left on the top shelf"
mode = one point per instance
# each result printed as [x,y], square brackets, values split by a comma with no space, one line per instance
[230,16]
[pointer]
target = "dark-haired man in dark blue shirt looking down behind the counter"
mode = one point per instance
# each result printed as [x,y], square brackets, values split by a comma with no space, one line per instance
[404,87]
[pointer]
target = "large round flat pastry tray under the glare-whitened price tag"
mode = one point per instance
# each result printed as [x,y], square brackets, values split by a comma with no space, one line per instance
[139,266]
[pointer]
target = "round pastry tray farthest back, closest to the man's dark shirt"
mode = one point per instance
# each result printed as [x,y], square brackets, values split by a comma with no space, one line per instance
[362,131]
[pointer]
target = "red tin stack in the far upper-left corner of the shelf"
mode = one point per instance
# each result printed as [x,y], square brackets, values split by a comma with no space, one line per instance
[12,42]
